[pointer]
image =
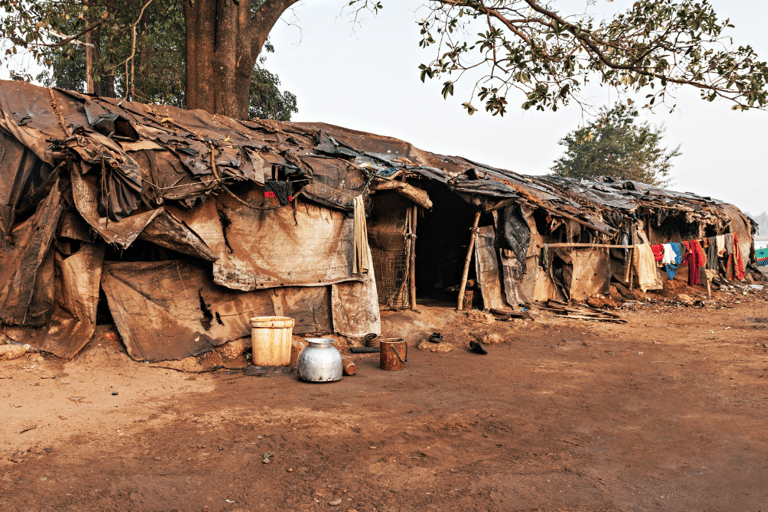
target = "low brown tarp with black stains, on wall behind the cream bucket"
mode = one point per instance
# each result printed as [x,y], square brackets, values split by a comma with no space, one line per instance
[172,309]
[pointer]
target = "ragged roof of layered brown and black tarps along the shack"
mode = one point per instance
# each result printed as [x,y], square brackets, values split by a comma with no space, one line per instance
[138,157]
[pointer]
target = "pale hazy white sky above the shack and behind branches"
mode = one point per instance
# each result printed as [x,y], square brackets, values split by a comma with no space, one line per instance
[366,77]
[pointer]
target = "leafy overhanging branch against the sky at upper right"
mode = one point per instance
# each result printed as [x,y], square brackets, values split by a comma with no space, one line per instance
[531,46]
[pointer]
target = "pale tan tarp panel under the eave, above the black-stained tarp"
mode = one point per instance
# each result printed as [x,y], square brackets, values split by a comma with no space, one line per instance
[308,246]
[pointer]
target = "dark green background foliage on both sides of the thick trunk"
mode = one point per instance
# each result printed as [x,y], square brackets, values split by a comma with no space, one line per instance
[141,57]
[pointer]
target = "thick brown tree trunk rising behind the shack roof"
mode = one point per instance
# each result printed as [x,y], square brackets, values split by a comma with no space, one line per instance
[223,41]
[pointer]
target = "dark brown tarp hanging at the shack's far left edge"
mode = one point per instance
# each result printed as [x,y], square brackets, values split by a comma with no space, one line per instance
[22,255]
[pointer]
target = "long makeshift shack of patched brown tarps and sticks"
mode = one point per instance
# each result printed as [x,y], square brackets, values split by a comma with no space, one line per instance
[182,225]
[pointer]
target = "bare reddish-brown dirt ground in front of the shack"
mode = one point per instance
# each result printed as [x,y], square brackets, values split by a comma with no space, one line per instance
[666,412]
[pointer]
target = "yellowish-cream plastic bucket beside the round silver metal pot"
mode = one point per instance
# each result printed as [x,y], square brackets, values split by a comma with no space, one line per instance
[271,340]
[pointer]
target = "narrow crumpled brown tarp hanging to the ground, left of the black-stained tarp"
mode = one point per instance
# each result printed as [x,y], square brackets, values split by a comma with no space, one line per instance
[77,295]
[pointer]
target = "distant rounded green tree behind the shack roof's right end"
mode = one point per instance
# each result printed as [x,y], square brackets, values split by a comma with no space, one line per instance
[616,146]
